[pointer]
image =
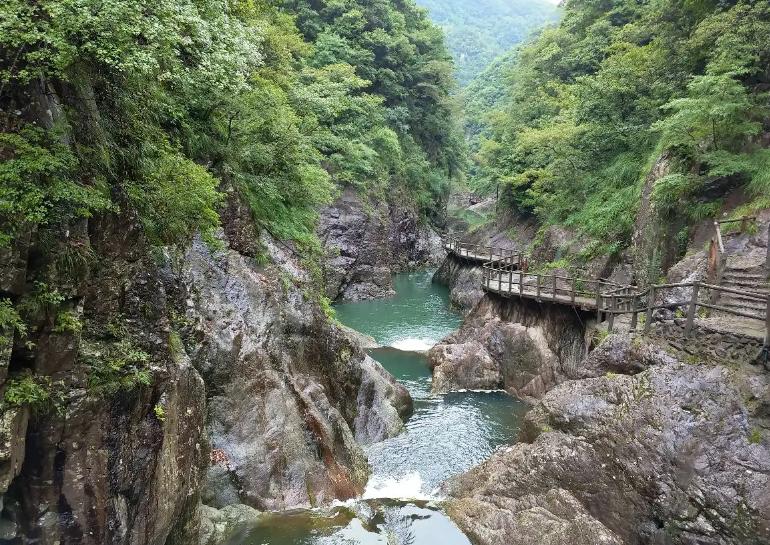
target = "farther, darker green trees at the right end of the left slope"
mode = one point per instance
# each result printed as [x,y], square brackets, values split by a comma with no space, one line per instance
[378,87]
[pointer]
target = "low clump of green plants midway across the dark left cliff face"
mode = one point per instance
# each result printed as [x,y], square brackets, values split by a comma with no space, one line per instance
[115,366]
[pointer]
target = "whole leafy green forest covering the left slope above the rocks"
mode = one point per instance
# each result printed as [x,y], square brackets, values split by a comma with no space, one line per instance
[160,108]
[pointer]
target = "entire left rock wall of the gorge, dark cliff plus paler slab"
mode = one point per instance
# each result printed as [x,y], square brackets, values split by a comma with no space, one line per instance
[244,375]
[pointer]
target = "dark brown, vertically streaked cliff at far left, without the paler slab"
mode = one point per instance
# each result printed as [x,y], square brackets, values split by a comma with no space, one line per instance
[122,466]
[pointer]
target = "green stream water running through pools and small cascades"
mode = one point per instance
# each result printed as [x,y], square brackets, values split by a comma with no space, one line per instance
[446,435]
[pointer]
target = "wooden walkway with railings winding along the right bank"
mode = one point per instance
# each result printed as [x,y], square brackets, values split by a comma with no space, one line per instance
[505,274]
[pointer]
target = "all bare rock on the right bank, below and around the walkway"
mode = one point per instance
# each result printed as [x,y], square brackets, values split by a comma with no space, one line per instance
[631,438]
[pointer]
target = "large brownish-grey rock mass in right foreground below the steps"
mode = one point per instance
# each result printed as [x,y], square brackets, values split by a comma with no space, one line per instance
[670,453]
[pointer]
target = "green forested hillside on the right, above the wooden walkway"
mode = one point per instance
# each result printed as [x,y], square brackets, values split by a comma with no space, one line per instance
[620,86]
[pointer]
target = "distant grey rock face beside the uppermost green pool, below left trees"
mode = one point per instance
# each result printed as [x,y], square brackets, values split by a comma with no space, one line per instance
[365,243]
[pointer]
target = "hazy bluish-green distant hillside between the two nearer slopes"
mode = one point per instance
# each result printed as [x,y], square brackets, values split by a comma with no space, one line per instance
[478,31]
